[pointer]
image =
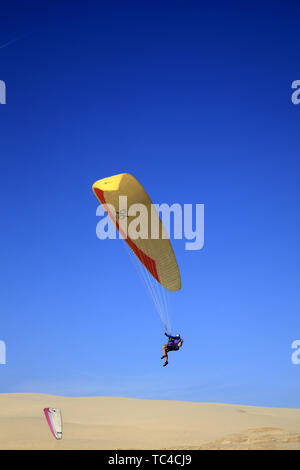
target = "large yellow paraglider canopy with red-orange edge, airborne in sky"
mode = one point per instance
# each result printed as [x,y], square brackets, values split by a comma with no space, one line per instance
[156,254]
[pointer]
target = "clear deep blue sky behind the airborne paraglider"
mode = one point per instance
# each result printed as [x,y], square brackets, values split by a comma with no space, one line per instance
[193,99]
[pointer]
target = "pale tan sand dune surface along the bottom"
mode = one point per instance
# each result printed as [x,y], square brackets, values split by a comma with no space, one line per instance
[125,423]
